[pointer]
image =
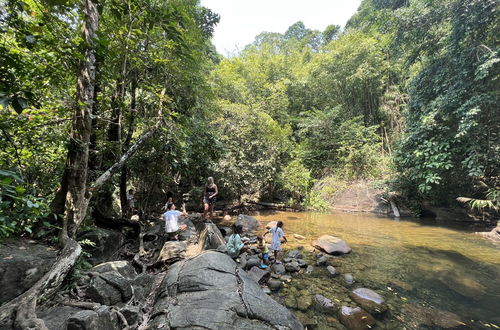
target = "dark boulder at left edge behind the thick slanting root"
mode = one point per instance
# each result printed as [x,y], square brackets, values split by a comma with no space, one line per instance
[22,264]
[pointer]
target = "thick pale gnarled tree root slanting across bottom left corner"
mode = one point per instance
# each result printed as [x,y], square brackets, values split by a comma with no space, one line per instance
[24,305]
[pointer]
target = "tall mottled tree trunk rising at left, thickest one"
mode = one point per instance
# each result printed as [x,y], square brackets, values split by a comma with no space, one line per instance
[78,150]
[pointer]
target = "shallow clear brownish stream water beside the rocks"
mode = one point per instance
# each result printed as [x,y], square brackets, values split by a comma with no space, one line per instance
[414,265]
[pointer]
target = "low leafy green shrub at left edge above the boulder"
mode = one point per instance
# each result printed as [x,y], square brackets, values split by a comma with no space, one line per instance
[19,208]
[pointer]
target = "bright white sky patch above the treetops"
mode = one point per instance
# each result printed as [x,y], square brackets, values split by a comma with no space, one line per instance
[242,20]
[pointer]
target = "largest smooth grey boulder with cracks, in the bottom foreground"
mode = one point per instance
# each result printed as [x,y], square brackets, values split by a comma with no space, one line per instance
[209,291]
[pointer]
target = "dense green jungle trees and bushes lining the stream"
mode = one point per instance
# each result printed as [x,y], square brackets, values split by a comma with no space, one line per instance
[98,98]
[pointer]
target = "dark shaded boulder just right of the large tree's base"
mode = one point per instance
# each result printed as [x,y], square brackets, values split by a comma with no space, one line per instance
[106,243]
